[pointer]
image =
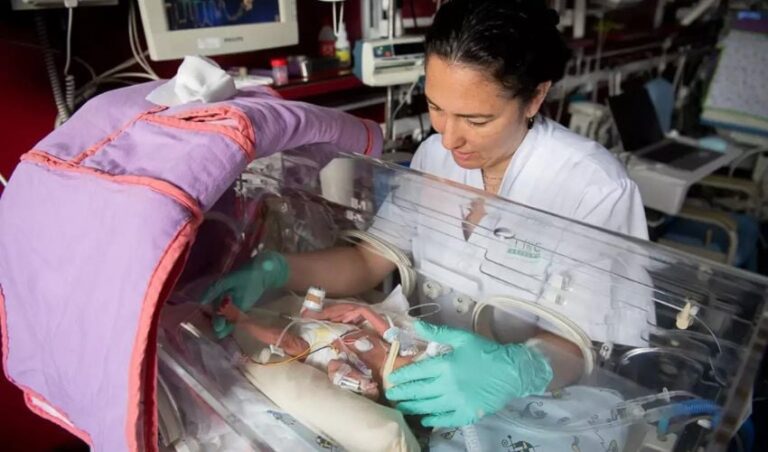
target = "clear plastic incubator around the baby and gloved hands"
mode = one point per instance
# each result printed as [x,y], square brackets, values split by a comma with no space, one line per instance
[668,342]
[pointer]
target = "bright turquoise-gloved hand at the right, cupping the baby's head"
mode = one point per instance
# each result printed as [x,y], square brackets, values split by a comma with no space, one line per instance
[477,378]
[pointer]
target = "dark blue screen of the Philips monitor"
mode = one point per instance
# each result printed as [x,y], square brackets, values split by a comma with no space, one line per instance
[189,14]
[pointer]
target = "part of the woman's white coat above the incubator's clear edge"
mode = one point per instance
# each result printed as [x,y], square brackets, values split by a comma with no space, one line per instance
[557,171]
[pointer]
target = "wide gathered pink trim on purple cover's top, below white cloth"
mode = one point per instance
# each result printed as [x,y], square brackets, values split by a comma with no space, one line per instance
[201,120]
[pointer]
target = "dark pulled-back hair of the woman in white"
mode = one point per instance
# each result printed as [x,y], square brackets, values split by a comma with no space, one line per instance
[516,41]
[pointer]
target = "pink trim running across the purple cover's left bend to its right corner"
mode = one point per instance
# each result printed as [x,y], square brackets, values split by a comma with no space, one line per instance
[162,187]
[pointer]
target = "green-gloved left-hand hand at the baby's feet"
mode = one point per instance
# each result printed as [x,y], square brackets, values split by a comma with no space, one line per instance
[244,286]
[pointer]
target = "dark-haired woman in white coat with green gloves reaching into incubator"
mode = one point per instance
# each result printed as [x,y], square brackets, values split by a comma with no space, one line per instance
[489,67]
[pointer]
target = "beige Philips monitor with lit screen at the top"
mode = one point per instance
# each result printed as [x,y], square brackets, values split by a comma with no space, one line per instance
[177,28]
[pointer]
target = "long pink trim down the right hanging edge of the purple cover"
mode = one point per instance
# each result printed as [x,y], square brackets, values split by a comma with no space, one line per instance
[162,278]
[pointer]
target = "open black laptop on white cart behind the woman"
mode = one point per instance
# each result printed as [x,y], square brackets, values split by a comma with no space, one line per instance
[641,134]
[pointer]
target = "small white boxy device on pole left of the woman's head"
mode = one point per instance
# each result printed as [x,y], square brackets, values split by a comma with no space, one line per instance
[388,62]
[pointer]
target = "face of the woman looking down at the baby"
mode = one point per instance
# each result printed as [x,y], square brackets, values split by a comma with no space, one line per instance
[481,125]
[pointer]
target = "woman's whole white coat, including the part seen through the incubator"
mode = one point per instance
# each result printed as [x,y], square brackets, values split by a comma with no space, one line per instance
[553,170]
